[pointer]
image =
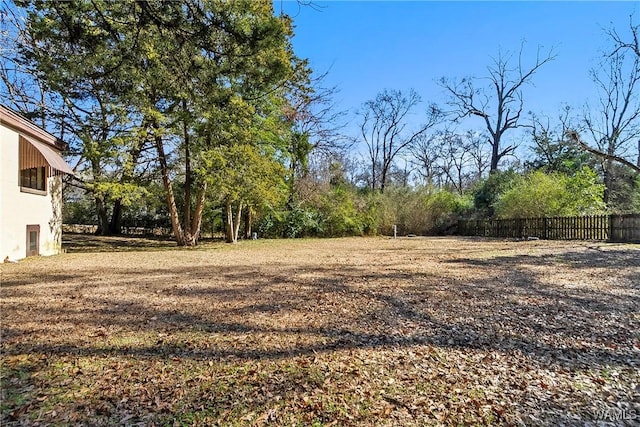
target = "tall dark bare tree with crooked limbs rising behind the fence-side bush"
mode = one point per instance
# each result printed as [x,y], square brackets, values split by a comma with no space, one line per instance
[499,103]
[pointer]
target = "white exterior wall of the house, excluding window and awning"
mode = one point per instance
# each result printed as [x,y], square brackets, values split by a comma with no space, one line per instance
[18,209]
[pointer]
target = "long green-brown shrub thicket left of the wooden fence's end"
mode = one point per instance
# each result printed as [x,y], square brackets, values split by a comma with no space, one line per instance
[346,211]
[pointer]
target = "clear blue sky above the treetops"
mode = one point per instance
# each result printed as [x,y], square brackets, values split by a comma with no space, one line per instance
[369,46]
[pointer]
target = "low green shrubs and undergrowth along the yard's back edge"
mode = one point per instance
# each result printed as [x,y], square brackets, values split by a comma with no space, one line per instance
[336,207]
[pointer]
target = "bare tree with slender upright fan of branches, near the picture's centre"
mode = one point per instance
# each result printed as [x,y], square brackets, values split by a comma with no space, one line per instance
[384,130]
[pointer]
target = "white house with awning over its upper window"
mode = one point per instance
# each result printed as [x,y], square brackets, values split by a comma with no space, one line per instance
[31,170]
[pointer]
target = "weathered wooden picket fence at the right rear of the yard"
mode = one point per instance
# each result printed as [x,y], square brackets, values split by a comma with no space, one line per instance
[615,228]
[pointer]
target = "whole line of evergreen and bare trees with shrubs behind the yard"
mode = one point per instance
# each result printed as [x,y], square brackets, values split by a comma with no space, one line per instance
[198,116]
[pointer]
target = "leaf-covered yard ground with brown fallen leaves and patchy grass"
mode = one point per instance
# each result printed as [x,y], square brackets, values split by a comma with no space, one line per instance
[345,332]
